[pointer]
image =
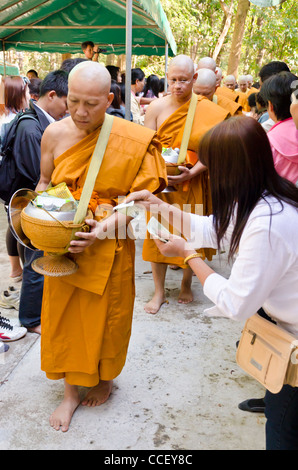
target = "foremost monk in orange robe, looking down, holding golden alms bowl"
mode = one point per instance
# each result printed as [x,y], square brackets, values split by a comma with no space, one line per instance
[86,316]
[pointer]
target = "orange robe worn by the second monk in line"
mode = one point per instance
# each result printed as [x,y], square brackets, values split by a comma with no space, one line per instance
[195,194]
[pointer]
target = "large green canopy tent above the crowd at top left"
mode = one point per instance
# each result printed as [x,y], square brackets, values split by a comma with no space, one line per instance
[131,27]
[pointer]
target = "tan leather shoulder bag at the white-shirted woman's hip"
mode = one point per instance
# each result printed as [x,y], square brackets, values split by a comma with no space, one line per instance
[268,353]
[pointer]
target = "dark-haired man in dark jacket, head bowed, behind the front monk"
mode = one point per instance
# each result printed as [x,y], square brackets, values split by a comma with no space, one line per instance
[51,106]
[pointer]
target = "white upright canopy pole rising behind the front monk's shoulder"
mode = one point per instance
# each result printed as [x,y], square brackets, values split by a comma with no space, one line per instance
[128,50]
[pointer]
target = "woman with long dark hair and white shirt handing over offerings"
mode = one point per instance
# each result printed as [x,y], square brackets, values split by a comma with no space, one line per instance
[255,214]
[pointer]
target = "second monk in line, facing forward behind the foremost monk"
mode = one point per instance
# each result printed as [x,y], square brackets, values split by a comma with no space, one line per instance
[167,116]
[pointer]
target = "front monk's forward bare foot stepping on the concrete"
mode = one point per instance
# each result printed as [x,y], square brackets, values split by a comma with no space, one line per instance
[62,416]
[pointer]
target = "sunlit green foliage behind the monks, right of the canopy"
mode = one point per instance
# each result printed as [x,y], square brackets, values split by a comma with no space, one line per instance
[270,33]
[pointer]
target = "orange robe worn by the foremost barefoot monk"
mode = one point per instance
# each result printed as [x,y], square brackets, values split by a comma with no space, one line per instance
[86,317]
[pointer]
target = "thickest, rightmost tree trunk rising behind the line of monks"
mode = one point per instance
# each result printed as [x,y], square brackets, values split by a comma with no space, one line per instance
[235,52]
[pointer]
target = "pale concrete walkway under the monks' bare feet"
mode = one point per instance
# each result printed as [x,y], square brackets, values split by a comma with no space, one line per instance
[179,390]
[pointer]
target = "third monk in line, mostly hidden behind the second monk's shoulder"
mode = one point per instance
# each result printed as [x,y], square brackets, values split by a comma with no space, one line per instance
[206,85]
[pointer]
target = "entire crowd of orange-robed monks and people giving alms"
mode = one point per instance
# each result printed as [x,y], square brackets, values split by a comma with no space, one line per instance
[239,167]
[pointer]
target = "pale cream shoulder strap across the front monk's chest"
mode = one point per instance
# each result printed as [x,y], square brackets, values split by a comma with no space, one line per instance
[94,167]
